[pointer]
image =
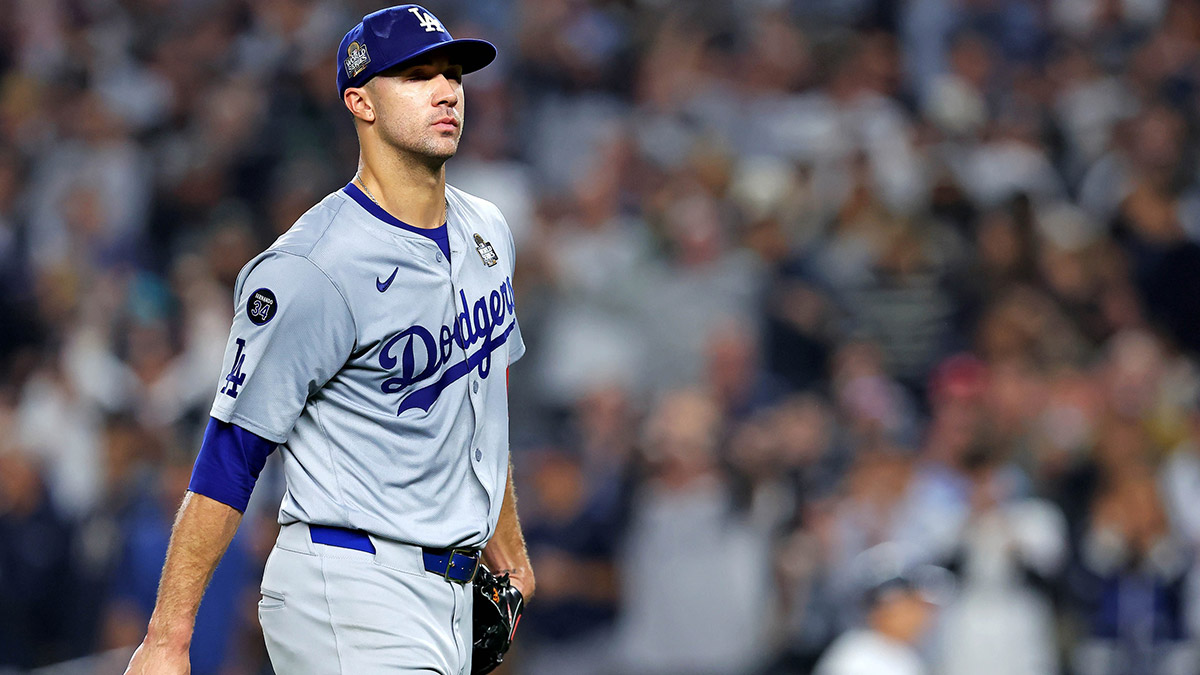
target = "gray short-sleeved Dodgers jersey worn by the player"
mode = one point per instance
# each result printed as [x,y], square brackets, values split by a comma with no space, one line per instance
[380,368]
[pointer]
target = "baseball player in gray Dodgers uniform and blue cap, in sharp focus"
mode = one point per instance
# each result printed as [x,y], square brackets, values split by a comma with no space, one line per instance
[370,345]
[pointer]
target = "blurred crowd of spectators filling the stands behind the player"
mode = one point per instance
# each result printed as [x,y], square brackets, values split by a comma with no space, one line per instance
[803,283]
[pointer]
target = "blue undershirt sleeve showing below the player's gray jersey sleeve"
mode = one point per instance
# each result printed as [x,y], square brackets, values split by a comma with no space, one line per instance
[229,464]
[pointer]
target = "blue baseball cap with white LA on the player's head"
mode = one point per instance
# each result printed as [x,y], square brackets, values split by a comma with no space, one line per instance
[392,37]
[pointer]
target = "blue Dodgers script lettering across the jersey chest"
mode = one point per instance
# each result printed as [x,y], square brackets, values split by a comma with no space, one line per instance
[423,355]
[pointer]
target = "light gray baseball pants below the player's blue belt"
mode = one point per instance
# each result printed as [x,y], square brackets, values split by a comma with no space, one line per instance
[333,611]
